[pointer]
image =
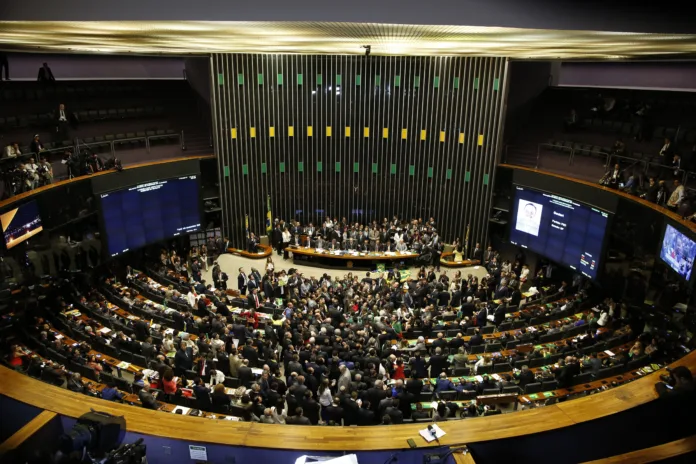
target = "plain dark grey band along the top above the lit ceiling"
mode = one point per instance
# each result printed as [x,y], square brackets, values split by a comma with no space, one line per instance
[538,14]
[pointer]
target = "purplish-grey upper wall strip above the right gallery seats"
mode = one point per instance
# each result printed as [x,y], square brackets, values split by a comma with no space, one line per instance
[649,75]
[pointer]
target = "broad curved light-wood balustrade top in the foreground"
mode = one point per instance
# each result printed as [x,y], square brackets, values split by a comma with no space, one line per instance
[25,389]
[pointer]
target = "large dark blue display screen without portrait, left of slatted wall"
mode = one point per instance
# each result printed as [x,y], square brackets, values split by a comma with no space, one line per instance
[137,216]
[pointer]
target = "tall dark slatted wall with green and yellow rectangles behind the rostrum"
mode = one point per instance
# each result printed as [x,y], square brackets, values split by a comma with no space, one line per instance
[441,166]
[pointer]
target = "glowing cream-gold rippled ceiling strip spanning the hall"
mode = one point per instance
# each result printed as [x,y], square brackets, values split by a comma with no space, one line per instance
[201,37]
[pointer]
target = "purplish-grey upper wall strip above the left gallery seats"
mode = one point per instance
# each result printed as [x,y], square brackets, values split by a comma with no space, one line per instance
[25,66]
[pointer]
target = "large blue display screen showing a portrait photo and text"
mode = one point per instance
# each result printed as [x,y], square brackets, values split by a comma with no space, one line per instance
[559,228]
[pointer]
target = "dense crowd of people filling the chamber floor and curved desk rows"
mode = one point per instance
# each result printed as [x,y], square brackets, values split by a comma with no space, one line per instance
[323,350]
